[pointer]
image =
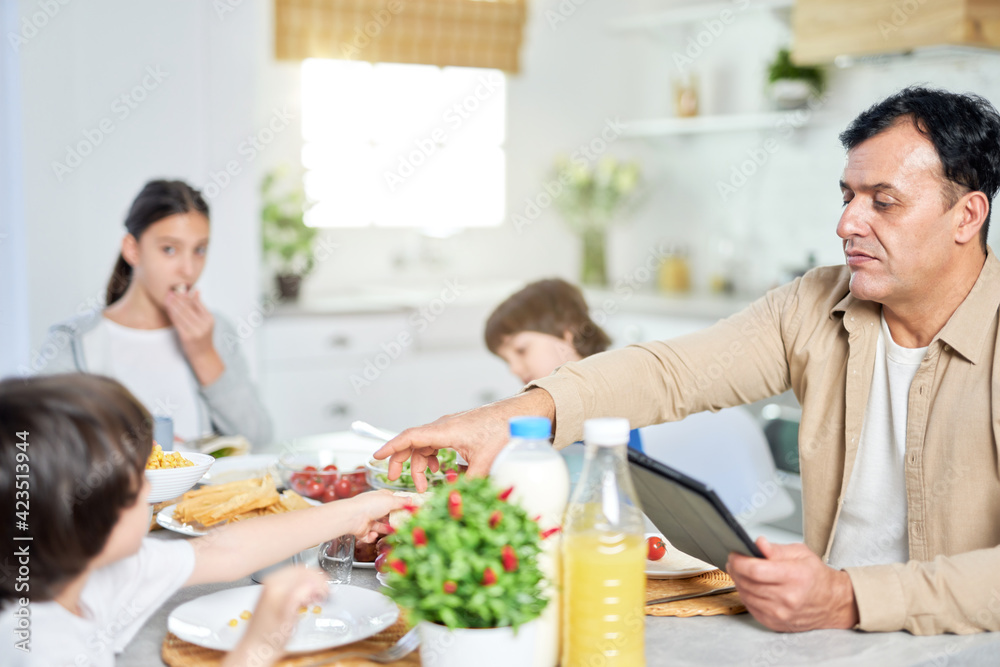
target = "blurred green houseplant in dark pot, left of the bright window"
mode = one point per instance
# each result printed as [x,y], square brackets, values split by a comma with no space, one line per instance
[287,240]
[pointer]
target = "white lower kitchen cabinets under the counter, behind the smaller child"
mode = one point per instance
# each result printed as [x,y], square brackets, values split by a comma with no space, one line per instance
[319,371]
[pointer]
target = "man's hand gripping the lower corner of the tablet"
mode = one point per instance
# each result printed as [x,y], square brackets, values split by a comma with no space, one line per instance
[792,590]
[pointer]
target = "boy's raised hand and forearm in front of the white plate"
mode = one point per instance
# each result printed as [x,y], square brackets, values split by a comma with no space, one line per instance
[276,615]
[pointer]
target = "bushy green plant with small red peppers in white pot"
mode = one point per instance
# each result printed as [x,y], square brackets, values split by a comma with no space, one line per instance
[464,567]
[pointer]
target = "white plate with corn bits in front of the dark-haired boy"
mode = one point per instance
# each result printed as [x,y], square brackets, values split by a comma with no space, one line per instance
[347,615]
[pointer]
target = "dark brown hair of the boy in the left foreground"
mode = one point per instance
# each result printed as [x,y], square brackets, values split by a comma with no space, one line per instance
[75,448]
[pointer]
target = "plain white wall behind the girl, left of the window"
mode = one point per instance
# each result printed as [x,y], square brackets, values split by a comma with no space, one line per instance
[189,124]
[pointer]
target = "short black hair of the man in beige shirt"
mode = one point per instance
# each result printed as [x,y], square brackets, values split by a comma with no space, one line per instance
[965,131]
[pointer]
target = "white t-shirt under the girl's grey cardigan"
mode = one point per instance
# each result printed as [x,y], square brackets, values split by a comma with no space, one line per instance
[152,365]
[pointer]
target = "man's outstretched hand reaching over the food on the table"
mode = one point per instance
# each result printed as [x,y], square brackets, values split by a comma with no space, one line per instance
[478,435]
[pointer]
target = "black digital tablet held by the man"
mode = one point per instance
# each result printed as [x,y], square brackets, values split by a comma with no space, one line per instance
[688,513]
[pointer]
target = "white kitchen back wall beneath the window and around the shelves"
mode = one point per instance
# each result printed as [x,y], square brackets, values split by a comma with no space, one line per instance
[579,74]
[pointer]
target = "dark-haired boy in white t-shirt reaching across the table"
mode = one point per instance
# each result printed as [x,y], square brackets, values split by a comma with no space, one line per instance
[73,450]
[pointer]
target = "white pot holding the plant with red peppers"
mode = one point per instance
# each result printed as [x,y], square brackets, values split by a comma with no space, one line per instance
[488,647]
